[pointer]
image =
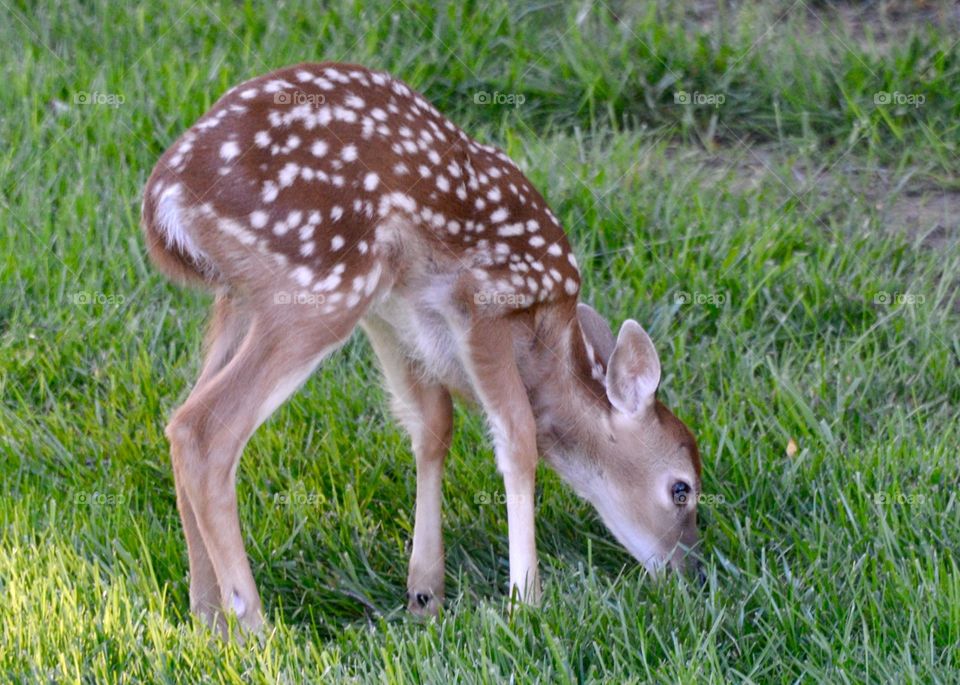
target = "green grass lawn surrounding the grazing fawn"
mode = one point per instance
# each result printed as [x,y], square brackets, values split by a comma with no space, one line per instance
[776,246]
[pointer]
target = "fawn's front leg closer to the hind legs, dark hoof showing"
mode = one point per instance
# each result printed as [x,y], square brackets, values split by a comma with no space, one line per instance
[426,411]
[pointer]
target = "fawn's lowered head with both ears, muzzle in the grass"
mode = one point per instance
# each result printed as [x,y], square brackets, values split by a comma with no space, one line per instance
[637,463]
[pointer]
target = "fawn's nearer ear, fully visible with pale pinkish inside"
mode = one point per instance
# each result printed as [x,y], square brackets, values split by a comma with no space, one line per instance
[633,373]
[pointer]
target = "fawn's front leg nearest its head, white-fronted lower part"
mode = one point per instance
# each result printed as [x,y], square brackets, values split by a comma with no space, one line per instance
[487,352]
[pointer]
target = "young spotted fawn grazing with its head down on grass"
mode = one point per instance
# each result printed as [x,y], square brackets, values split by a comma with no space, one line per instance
[321,197]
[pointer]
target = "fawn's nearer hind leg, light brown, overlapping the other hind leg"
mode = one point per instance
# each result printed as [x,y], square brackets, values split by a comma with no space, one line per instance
[207,434]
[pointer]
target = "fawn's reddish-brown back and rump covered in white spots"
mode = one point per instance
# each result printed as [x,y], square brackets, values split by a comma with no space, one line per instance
[337,179]
